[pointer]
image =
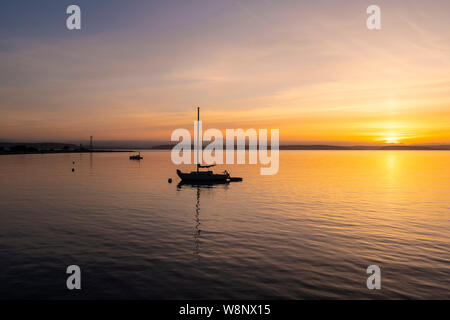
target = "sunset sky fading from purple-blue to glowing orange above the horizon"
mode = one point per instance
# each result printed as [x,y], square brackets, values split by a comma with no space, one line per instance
[138,69]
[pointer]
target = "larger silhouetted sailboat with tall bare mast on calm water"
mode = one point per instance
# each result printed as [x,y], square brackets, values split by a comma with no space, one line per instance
[205,177]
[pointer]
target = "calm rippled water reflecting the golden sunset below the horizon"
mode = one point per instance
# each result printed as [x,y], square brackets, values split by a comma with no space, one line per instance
[308,232]
